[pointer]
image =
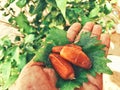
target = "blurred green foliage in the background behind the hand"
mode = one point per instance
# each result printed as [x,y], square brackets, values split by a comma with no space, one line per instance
[47,14]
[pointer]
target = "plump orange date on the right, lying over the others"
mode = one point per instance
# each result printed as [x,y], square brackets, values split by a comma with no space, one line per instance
[76,56]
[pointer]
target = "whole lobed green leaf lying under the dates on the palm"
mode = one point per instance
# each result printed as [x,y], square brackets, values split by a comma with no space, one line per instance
[90,45]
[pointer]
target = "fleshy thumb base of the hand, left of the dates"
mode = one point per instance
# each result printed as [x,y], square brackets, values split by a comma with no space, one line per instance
[35,77]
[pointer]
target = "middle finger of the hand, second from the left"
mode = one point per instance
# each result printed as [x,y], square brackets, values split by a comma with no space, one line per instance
[86,28]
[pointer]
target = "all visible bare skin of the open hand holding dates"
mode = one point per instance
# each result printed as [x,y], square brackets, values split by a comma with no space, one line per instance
[36,77]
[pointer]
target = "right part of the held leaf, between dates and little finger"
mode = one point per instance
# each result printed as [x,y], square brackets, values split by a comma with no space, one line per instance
[92,47]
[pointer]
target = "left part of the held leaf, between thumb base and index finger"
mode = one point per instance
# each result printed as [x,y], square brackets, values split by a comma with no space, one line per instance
[50,41]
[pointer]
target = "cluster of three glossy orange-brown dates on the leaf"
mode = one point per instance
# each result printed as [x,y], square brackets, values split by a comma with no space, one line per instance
[63,56]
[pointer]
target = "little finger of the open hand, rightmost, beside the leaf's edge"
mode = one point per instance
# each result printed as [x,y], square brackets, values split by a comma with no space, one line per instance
[105,38]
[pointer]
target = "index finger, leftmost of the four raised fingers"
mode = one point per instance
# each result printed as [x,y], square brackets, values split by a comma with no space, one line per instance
[73,31]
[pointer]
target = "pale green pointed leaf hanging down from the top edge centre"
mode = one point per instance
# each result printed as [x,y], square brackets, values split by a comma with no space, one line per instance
[62,6]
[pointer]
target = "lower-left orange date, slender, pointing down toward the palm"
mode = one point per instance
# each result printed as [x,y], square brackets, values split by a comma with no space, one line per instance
[62,67]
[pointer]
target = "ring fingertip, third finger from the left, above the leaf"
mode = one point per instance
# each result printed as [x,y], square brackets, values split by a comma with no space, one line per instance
[97,29]
